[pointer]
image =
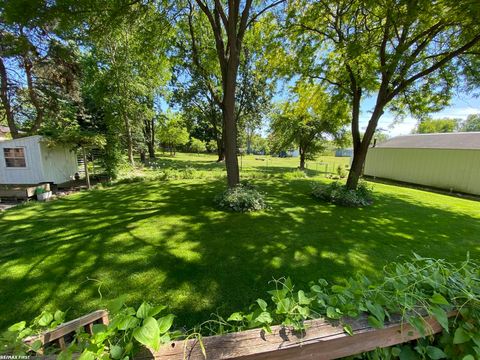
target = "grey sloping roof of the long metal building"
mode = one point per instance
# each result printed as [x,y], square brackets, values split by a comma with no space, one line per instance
[460,140]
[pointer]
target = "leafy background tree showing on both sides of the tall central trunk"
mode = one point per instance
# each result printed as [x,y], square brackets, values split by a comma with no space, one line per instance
[198,78]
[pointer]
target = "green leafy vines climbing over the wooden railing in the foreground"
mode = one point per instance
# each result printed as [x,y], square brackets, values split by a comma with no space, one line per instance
[409,290]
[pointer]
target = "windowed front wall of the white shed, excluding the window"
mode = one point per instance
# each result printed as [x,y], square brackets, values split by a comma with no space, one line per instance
[33,172]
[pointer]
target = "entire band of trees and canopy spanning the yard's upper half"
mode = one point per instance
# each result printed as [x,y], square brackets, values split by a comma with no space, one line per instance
[210,73]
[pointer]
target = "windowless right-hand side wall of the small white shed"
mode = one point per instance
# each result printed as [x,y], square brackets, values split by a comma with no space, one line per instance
[59,163]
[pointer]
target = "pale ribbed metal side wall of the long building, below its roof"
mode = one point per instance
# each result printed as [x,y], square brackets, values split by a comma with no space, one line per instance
[458,170]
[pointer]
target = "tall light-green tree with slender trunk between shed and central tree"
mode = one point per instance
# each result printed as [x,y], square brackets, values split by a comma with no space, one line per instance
[130,63]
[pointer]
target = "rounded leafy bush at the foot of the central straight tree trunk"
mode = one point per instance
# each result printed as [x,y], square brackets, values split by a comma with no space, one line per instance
[242,198]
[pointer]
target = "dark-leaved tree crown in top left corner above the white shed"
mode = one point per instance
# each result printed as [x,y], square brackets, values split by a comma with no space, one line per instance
[38,70]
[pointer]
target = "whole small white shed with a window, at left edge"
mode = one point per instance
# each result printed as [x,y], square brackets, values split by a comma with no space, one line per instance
[29,160]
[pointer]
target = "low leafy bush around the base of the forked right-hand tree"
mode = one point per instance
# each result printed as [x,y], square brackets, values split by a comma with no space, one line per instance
[337,193]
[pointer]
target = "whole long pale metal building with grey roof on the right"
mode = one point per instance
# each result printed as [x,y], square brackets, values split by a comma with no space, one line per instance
[449,161]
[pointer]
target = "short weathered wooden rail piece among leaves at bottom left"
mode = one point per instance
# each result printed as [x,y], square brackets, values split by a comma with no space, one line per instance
[69,327]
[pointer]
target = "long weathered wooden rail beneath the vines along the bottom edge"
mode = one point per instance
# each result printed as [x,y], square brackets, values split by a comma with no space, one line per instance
[322,340]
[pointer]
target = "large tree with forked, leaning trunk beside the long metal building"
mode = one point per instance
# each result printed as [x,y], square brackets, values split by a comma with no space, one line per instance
[407,54]
